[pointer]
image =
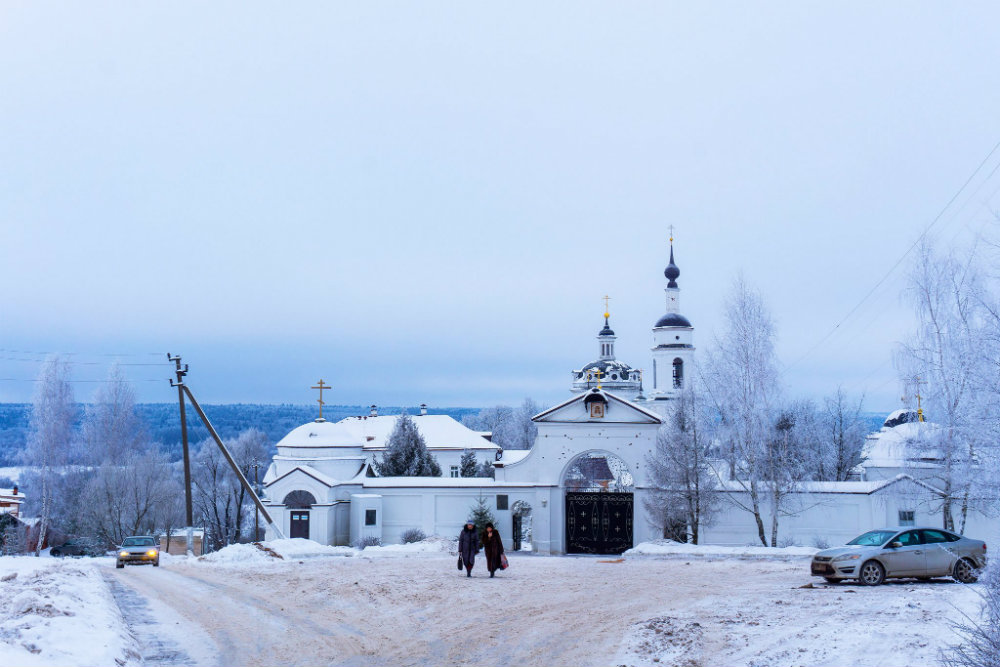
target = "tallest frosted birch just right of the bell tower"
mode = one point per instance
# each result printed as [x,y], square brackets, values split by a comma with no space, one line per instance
[741,381]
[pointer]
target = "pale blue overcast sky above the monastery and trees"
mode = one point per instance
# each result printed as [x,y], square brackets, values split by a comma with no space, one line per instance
[425,202]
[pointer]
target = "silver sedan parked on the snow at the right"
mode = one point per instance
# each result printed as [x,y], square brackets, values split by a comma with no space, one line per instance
[920,553]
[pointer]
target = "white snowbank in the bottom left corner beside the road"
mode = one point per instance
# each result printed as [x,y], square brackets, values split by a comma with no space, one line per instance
[55,612]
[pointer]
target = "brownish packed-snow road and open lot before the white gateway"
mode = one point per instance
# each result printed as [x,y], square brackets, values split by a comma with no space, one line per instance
[547,611]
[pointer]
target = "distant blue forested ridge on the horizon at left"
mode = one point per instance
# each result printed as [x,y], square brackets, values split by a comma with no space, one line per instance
[163,422]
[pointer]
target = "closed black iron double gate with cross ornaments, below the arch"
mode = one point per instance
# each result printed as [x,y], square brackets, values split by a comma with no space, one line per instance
[598,523]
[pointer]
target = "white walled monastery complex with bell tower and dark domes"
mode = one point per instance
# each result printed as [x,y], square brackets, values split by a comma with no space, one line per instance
[581,487]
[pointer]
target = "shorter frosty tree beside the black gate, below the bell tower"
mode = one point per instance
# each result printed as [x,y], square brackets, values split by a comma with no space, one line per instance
[686,487]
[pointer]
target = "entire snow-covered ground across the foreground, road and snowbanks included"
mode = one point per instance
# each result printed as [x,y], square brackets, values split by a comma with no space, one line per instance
[662,604]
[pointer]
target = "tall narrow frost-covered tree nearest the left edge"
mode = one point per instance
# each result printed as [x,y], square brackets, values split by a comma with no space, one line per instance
[50,437]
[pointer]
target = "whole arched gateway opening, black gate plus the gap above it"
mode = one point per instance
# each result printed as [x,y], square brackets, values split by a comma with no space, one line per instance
[599,504]
